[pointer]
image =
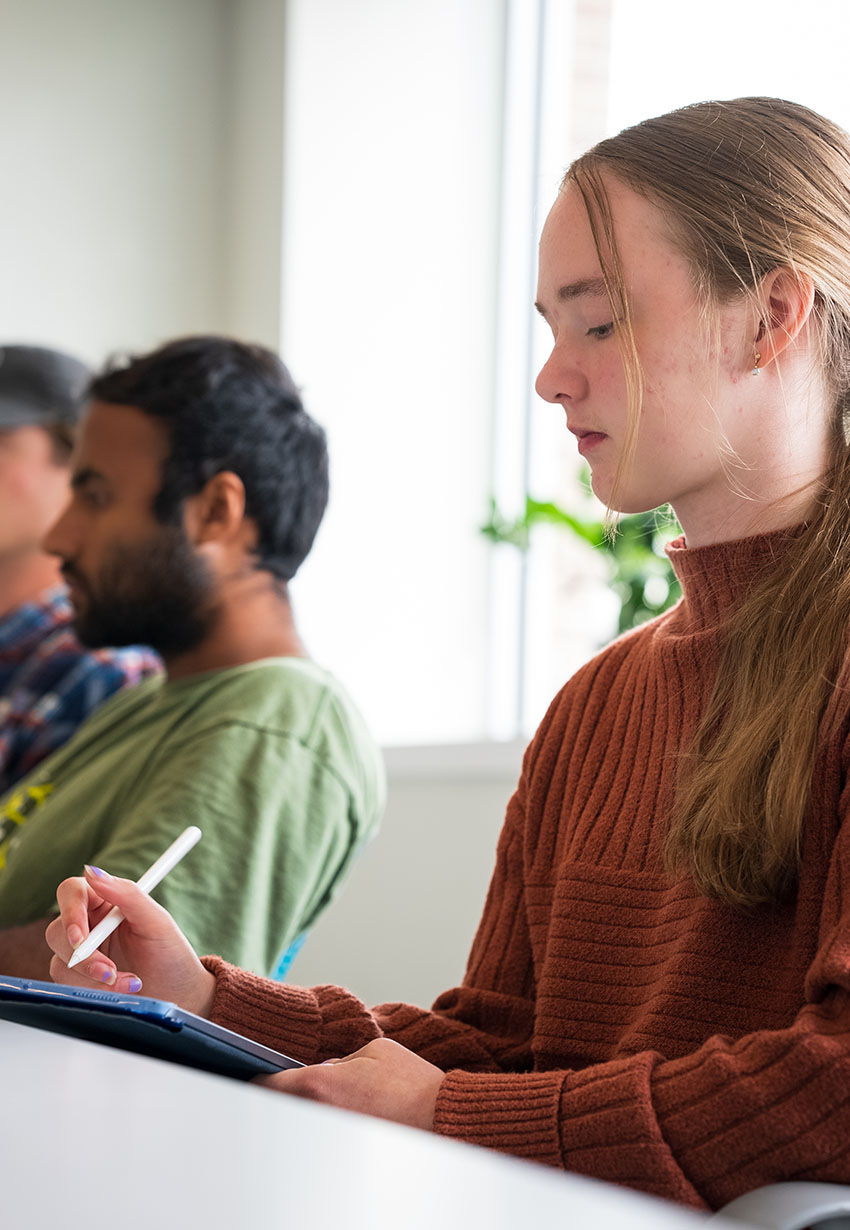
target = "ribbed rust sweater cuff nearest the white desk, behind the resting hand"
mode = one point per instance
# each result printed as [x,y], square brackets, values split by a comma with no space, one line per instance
[505,1111]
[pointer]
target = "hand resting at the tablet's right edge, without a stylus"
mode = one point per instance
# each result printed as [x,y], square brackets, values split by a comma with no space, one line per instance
[383,1079]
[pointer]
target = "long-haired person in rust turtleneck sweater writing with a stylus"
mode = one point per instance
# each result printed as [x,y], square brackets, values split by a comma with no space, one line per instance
[659,994]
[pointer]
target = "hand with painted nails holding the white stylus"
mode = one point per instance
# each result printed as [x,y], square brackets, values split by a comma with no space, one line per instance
[148,950]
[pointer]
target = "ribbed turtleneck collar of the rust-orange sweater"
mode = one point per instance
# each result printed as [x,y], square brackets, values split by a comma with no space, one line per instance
[717,580]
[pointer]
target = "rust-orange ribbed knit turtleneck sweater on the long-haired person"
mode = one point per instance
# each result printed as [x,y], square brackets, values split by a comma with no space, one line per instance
[613,1022]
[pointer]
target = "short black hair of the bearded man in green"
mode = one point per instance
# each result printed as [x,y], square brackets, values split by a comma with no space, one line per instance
[232,407]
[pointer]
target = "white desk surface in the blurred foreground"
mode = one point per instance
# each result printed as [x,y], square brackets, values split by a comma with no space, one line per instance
[178,1148]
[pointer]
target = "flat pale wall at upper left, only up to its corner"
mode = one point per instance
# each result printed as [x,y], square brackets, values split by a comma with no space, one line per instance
[111,170]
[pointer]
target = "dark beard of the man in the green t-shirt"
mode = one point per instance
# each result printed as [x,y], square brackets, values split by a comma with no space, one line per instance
[157,593]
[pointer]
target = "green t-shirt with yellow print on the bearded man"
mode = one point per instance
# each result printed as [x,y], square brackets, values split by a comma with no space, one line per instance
[271,761]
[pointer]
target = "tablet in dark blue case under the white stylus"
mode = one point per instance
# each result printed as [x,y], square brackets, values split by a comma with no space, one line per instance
[147,1026]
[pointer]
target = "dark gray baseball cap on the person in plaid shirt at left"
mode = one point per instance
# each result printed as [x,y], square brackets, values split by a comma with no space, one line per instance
[40,387]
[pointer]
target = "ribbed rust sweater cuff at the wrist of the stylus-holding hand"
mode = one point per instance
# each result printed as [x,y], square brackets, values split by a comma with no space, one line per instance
[279,1015]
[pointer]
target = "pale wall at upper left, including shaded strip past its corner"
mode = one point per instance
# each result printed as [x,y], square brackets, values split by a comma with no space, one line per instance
[142,172]
